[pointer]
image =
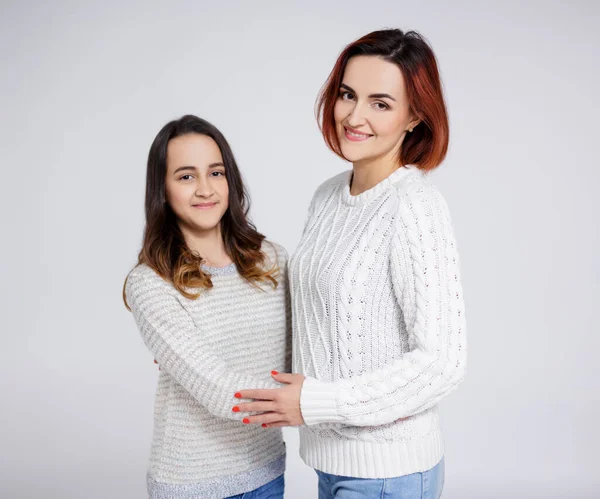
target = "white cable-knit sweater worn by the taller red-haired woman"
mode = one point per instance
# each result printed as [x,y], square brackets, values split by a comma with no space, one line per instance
[379,325]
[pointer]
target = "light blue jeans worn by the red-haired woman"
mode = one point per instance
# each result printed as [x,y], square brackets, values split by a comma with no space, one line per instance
[425,485]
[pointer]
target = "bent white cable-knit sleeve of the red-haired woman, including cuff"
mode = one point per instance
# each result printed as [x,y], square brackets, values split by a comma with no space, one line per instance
[426,280]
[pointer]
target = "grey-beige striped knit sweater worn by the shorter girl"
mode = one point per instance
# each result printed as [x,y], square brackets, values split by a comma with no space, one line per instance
[227,340]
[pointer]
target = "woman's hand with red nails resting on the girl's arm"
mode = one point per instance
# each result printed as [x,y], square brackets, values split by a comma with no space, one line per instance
[281,406]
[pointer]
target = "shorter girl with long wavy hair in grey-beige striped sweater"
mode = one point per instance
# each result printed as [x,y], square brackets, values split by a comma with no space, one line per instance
[209,296]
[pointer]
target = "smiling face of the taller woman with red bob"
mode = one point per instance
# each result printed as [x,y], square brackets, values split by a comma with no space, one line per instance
[372,113]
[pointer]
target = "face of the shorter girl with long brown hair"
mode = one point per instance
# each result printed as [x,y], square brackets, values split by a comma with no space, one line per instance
[196,186]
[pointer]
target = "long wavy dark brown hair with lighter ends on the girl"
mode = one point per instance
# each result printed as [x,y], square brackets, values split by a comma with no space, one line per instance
[164,248]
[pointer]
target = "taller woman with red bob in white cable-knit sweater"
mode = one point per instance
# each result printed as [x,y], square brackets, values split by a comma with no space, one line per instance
[378,312]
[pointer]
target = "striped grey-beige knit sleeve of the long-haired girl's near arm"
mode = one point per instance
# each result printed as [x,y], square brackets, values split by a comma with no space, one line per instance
[170,334]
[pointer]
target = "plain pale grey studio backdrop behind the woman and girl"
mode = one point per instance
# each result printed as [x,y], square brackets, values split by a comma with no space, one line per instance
[86,86]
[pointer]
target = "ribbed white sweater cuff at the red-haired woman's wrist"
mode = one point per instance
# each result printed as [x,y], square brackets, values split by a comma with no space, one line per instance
[318,402]
